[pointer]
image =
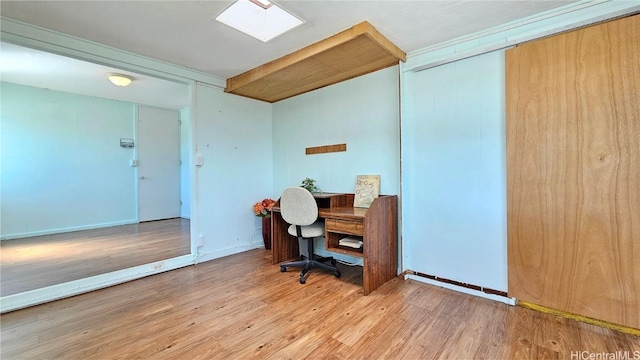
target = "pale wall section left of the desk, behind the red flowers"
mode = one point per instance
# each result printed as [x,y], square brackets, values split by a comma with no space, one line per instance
[233,135]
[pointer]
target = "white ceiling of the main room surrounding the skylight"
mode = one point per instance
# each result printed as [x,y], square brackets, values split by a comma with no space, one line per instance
[183,32]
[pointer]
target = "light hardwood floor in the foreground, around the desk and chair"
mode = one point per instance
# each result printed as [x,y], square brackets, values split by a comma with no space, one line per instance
[242,307]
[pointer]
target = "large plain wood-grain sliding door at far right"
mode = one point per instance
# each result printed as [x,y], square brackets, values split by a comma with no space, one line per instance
[573,149]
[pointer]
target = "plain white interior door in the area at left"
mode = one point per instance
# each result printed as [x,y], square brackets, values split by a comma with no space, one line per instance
[158,164]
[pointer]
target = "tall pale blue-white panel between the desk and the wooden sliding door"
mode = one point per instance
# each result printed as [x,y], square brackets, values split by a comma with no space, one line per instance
[454,171]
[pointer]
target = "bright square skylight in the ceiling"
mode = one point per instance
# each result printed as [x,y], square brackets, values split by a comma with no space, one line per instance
[258,18]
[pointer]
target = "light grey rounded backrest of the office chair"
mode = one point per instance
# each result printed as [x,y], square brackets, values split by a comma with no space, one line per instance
[298,207]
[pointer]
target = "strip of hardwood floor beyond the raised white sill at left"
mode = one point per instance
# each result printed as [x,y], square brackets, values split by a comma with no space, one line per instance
[32,263]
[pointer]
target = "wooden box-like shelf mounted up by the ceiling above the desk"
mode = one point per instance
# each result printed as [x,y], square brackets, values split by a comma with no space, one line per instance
[356,51]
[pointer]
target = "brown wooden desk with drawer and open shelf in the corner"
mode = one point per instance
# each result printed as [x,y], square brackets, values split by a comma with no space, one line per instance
[377,226]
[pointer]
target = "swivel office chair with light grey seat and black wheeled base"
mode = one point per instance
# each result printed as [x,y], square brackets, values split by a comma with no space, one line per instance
[300,210]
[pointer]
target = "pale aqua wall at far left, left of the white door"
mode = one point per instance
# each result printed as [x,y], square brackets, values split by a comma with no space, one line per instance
[62,165]
